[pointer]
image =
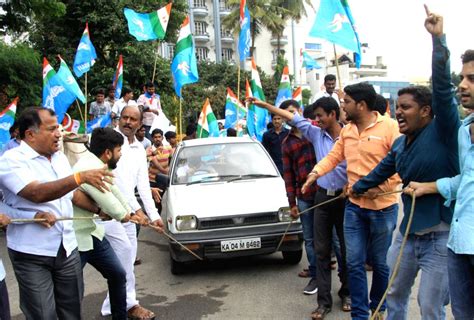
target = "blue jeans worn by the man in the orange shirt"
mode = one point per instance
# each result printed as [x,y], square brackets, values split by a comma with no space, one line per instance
[360,225]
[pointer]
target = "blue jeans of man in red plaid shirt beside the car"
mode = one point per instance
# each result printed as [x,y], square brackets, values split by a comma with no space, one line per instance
[307,223]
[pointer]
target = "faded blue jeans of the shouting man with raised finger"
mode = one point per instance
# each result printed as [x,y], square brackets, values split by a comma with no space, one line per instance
[427,253]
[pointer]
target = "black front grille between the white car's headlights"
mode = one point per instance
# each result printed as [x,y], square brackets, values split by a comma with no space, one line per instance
[237,221]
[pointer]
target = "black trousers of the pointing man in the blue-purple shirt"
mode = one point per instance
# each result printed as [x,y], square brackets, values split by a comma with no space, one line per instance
[325,219]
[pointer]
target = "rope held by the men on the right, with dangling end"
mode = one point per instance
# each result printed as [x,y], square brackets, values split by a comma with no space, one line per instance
[402,246]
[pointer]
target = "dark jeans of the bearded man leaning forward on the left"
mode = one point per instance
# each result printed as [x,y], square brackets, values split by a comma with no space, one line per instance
[104,260]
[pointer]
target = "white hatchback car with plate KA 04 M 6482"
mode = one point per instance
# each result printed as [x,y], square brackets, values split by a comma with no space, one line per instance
[227,199]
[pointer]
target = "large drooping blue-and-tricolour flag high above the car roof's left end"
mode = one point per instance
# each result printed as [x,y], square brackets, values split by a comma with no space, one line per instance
[184,66]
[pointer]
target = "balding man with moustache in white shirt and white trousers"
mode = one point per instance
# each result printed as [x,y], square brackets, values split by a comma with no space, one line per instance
[131,172]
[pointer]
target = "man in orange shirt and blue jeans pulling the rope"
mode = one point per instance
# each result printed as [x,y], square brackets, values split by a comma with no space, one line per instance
[363,143]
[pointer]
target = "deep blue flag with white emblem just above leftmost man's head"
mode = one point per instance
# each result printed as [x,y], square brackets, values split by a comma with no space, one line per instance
[55,96]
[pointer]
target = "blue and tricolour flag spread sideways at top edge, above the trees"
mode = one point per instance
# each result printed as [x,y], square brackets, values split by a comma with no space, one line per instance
[148,26]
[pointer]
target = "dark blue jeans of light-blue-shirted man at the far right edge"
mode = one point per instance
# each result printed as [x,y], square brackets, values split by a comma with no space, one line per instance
[461,285]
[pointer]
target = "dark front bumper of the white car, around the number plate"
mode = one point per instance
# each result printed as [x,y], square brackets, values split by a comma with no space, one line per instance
[208,243]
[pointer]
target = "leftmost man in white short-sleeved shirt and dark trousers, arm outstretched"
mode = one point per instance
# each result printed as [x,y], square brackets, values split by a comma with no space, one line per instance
[37,178]
